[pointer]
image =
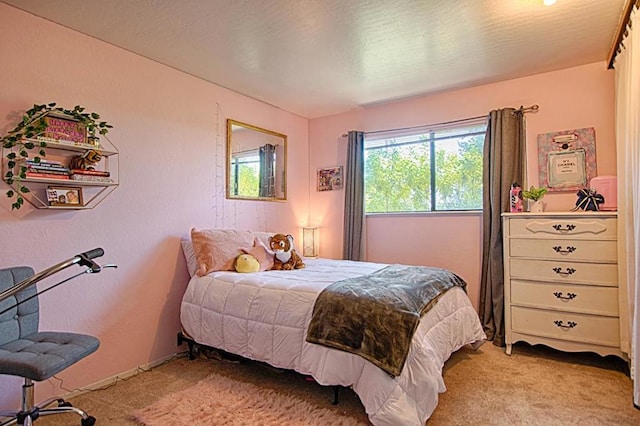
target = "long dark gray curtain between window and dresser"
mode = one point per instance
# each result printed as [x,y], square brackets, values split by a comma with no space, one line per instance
[504,153]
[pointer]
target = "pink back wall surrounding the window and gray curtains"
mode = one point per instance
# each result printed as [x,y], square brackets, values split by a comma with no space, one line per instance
[568,99]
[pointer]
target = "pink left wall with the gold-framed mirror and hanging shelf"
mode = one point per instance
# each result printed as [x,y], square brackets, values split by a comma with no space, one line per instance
[170,130]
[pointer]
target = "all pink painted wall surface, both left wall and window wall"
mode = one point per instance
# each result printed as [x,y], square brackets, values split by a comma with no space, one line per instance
[170,130]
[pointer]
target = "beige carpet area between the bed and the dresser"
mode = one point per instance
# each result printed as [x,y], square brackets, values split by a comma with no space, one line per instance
[536,385]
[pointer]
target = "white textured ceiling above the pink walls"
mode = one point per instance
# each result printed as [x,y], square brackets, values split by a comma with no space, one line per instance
[322,57]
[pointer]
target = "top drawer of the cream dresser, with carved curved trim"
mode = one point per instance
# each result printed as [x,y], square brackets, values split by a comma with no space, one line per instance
[568,227]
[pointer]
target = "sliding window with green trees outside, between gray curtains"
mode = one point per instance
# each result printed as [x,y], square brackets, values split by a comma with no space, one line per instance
[431,168]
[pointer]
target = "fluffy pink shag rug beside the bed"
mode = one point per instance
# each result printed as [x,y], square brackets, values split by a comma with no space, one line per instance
[218,400]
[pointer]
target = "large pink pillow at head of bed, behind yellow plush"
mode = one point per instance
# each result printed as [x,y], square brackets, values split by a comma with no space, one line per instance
[217,249]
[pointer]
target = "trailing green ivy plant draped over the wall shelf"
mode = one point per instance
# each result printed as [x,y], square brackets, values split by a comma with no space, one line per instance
[19,143]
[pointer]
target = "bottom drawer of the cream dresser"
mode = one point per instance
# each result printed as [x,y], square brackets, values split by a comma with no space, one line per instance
[566,326]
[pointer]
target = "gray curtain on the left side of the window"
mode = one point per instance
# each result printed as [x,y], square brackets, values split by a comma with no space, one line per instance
[354,196]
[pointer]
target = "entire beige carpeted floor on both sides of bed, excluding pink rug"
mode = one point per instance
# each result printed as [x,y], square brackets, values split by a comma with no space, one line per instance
[533,386]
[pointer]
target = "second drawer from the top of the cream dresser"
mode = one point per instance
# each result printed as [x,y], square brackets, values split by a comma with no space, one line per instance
[564,249]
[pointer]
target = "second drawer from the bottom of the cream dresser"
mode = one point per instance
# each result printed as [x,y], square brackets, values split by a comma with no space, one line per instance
[575,298]
